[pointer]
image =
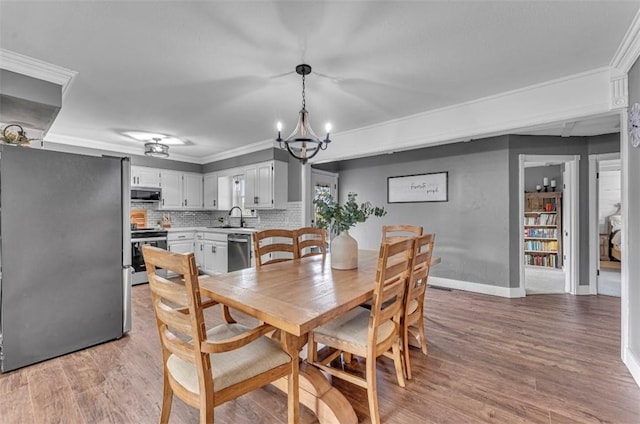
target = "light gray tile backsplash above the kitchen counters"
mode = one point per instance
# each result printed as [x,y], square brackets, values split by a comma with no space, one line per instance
[288,218]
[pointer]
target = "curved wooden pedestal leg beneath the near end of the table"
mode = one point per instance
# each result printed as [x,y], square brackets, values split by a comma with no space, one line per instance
[329,405]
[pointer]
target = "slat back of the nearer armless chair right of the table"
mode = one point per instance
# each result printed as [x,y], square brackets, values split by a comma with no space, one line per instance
[394,264]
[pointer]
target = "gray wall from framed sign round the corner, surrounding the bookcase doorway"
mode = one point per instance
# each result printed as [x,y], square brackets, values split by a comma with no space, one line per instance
[478,228]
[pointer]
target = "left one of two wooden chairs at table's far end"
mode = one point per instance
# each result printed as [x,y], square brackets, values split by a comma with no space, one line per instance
[271,246]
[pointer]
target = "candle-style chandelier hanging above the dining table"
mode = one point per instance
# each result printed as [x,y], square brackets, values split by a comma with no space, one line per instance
[303,143]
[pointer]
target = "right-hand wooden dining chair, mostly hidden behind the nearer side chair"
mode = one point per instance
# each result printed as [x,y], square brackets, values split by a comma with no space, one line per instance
[413,315]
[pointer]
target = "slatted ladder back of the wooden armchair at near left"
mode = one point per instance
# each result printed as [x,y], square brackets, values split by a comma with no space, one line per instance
[177,306]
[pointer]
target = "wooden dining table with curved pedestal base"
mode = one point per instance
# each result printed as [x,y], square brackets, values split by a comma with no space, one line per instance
[295,297]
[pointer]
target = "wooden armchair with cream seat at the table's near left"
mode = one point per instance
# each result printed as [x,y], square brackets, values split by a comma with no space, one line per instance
[206,368]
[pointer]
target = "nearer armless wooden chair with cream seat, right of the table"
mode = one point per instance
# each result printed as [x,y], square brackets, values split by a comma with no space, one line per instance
[370,333]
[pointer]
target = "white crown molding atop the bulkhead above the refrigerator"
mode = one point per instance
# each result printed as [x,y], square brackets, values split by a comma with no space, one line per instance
[35,68]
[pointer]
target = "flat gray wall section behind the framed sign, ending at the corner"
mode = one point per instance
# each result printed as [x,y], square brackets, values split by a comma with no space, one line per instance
[472,232]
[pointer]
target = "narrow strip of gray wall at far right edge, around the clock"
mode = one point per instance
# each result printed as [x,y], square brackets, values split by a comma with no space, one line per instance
[634,224]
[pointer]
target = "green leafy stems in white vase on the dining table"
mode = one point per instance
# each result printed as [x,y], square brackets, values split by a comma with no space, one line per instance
[339,219]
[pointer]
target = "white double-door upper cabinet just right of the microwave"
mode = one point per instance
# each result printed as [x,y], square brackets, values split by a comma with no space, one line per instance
[181,190]
